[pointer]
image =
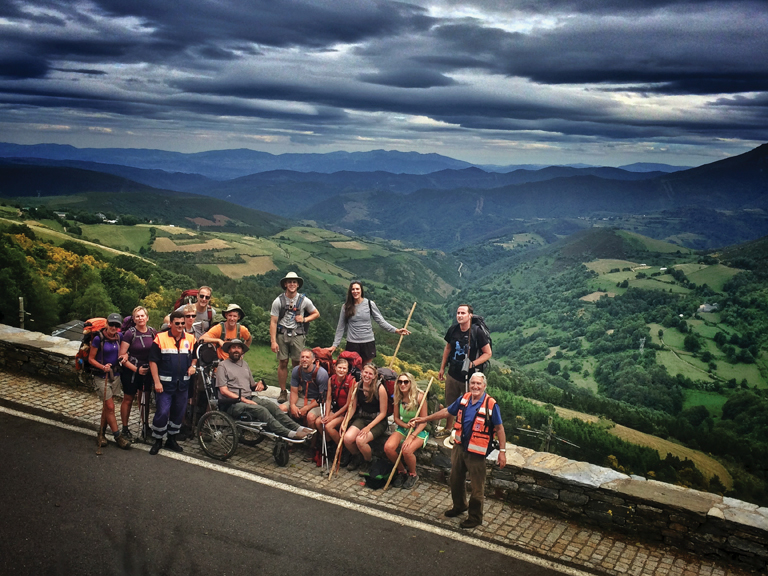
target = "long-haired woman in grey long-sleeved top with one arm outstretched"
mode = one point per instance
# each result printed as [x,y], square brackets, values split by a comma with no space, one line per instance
[355,318]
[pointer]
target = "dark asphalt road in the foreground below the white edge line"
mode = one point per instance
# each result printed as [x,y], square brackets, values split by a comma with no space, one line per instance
[67,511]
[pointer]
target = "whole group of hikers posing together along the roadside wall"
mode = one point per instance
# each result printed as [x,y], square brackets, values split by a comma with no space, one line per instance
[349,405]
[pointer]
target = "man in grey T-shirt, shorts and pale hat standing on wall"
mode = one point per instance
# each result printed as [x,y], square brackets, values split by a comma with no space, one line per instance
[290,314]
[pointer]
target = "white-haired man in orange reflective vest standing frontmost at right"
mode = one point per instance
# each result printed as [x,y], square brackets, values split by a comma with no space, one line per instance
[477,420]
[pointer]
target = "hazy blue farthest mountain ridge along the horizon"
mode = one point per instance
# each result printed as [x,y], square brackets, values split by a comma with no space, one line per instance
[229,164]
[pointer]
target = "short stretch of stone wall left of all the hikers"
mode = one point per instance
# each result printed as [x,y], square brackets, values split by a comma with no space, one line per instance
[39,355]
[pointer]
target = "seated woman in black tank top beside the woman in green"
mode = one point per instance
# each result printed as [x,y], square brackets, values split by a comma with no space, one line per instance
[369,407]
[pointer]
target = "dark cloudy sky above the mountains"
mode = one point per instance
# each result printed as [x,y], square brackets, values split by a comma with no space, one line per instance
[608,82]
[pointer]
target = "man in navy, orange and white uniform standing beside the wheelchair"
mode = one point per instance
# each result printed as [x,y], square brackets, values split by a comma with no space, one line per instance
[171,363]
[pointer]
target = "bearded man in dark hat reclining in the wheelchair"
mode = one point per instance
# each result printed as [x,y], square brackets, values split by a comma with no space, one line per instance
[235,385]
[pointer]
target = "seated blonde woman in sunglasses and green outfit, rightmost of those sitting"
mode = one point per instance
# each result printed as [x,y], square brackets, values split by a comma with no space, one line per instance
[407,399]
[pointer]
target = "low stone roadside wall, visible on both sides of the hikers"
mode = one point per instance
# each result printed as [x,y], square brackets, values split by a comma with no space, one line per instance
[707,524]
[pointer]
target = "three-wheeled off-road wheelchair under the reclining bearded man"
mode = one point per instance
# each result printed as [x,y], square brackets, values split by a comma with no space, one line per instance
[217,432]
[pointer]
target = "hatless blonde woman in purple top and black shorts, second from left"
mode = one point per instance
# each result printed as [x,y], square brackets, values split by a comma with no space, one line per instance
[135,345]
